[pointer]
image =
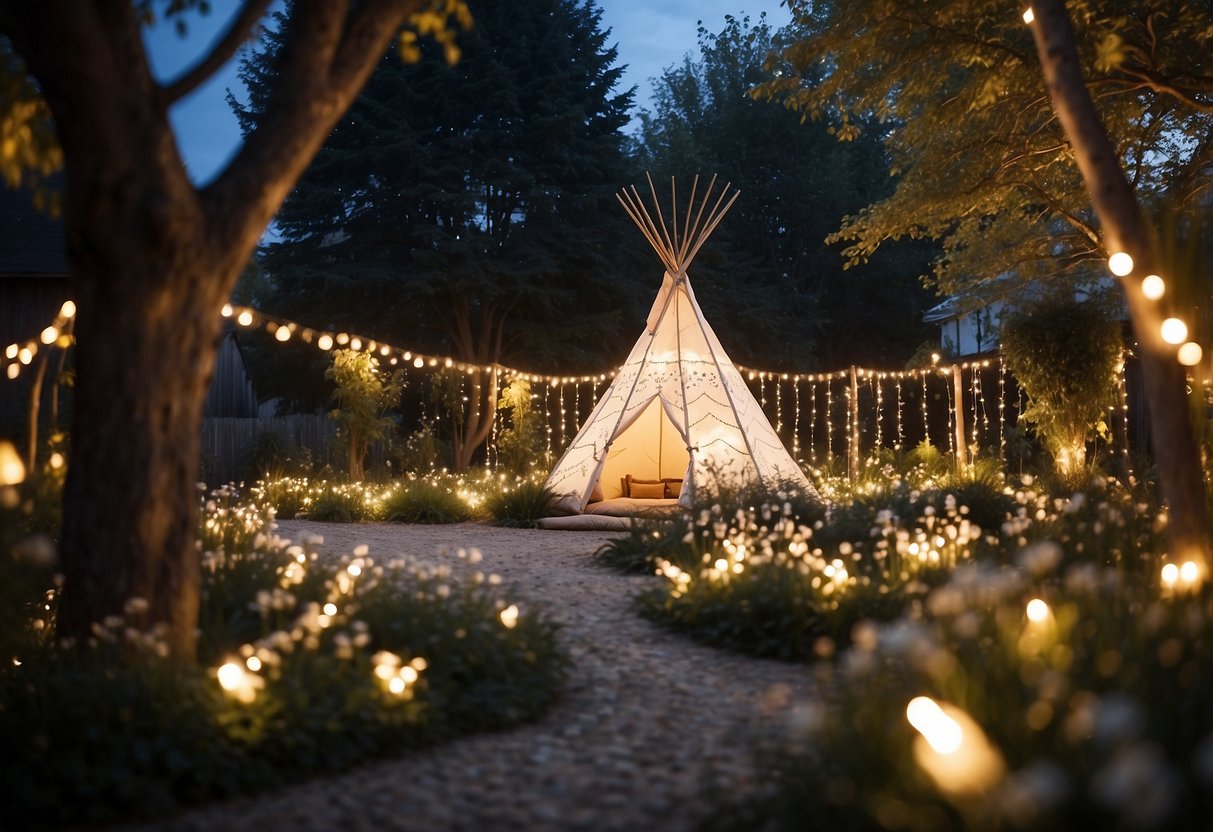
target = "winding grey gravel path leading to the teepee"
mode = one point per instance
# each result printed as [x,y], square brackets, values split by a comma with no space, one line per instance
[650,720]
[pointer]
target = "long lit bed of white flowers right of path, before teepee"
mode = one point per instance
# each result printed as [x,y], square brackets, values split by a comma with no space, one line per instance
[791,580]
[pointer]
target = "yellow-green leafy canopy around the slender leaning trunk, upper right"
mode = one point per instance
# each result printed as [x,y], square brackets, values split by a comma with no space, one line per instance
[982,163]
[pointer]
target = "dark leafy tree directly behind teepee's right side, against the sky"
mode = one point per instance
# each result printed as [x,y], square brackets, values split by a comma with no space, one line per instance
[767,280]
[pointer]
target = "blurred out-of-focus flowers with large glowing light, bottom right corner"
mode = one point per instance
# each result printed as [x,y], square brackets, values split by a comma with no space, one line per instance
[1030,698]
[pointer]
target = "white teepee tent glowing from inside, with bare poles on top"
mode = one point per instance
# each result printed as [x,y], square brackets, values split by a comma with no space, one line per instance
[677,409]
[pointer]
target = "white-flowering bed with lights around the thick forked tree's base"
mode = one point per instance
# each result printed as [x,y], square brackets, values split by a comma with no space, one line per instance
[306,665]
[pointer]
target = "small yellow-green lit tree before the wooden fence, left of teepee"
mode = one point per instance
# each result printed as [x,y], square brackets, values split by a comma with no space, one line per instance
[363,397]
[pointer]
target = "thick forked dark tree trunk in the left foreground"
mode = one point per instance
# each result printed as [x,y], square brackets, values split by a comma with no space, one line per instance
[152,261]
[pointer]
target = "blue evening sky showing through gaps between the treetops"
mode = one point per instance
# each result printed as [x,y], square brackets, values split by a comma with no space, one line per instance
[651,36]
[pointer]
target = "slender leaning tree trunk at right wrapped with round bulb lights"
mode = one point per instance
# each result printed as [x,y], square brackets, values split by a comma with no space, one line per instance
[1125,230]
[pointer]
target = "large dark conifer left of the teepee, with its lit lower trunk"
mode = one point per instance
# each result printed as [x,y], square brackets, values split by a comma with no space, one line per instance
[468,209]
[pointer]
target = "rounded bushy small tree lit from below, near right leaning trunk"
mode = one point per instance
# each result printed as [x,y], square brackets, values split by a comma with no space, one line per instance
[1064,354]
